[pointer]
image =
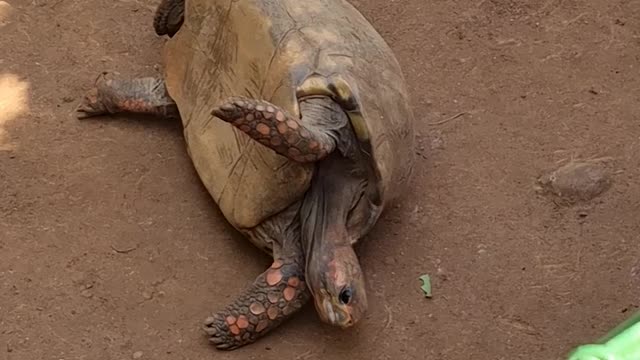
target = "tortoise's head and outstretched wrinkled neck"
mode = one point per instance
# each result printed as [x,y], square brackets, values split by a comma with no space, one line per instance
[334,213]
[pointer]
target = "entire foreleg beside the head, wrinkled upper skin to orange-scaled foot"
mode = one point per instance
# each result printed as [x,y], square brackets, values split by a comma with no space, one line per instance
[275,295]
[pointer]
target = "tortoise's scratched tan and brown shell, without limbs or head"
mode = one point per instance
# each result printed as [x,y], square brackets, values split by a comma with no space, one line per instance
[265,49]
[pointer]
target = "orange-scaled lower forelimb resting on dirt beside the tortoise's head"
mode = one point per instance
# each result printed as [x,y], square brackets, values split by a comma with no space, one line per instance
[275,296]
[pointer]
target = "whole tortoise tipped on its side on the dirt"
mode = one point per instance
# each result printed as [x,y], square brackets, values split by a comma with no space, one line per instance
[297,119]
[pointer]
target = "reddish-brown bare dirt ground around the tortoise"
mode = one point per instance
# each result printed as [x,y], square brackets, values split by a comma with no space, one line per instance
[112,249]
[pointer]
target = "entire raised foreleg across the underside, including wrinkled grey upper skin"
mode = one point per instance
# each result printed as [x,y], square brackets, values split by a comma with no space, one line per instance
[303,140]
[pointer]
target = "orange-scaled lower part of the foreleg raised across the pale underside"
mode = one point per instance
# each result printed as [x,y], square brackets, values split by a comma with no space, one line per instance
[276,129]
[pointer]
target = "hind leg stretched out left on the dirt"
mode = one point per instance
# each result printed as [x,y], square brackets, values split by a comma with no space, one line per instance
[141,96]
